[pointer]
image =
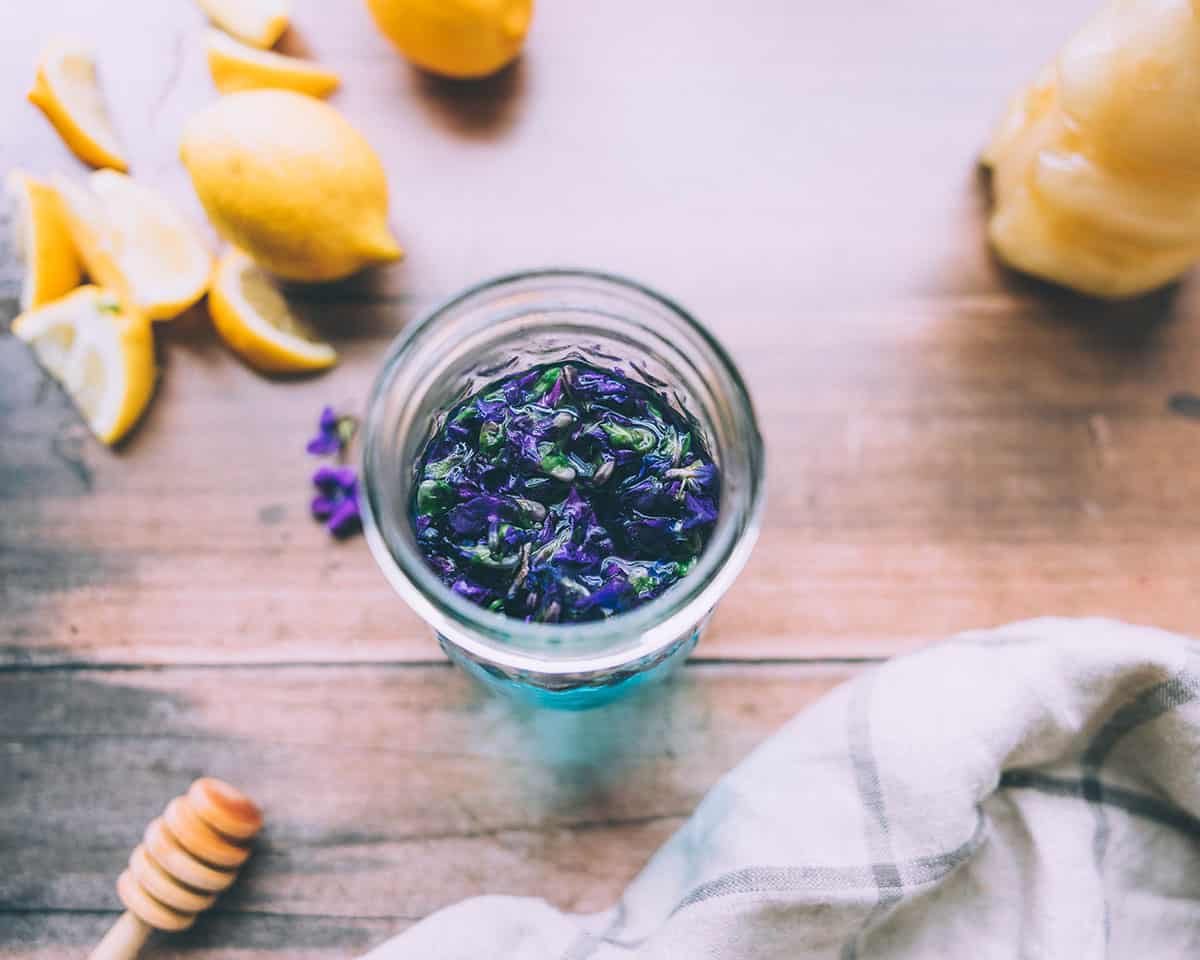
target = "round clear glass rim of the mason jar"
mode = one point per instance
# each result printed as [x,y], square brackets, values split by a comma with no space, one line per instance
[509,643]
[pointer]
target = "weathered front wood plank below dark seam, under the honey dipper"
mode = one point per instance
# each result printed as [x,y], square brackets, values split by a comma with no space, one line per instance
[389,793]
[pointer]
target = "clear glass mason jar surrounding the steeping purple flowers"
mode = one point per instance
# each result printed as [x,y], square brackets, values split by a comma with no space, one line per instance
[518,322]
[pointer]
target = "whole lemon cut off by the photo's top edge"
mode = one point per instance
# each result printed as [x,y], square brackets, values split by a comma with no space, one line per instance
[455,38]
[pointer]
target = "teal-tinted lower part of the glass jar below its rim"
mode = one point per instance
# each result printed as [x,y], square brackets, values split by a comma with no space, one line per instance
[573,694]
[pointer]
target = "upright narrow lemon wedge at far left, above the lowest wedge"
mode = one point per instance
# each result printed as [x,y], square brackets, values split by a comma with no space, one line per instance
[43,242]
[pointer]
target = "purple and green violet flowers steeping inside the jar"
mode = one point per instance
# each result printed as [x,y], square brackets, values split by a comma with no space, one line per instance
[565,493]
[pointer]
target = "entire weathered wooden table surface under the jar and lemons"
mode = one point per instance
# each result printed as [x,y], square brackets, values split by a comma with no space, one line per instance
[950,447]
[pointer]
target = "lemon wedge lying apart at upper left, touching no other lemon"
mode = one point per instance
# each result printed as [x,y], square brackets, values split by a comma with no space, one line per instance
[67,91]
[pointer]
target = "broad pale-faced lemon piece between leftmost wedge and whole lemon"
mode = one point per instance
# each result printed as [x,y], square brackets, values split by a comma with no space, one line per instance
[135,243]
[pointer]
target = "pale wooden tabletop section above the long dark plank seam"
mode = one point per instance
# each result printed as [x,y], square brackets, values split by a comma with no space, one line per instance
[937,428]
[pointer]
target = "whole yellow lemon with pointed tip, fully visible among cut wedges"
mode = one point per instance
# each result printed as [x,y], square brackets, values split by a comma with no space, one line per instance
[290,182]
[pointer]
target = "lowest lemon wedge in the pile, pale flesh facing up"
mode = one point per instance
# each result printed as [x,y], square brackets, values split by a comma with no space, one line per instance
[101,353]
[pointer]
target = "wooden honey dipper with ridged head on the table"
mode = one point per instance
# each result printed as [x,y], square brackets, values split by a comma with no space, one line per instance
[187,857]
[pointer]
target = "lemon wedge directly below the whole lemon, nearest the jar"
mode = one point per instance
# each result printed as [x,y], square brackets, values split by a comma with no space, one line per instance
[254,319]
